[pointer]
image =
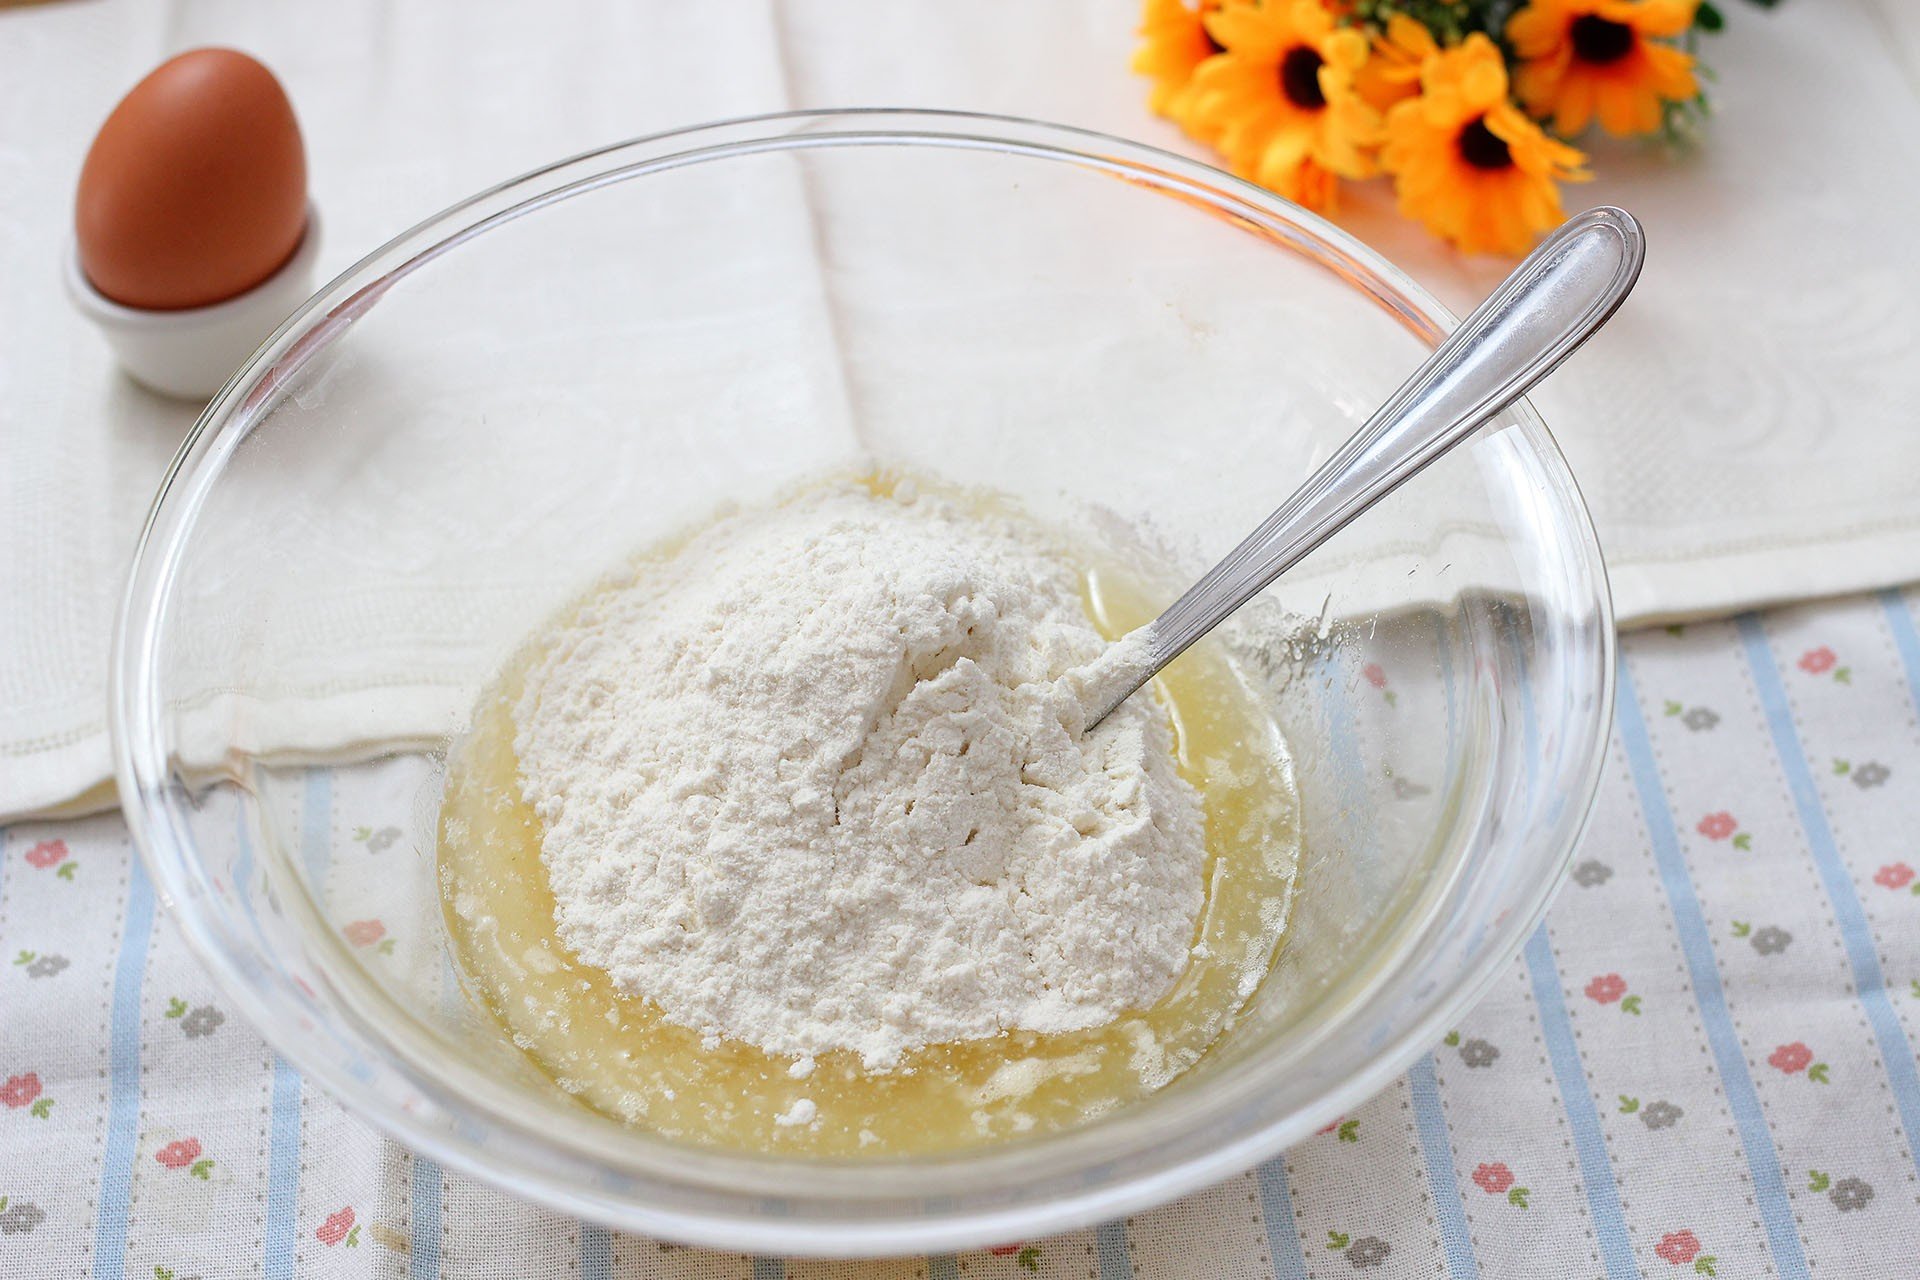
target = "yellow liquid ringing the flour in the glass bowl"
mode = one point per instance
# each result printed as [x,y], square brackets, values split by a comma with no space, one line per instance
[621,1056]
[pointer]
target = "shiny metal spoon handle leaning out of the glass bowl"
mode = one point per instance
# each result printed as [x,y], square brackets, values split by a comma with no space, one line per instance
[1539,316]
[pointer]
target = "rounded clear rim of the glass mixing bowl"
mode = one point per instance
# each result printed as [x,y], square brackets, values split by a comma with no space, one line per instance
[155,815]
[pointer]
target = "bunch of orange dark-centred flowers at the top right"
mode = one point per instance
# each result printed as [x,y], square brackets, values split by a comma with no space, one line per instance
[1472,108]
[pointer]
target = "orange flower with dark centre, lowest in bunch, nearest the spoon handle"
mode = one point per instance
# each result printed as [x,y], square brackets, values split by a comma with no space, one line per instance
[1468,162]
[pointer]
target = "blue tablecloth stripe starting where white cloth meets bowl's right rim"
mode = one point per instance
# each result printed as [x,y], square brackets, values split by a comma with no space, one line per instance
[1710,997]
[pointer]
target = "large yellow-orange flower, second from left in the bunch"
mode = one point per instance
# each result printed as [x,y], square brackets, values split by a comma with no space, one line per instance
[1282,99]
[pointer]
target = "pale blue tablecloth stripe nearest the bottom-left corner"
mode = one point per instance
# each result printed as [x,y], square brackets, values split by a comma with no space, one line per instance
[124,1076]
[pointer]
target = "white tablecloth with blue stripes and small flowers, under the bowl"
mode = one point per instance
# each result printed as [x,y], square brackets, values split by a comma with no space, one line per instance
[1702,1064]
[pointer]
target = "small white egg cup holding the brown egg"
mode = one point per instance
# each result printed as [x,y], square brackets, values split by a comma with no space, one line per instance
[191,354]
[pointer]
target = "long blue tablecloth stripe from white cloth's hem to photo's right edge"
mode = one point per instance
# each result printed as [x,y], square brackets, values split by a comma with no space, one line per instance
[1856,934]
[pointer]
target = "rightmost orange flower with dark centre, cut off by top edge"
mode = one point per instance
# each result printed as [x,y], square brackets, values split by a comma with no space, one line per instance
[1608,59]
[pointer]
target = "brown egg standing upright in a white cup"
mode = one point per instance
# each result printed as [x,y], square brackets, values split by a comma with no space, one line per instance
[197,187]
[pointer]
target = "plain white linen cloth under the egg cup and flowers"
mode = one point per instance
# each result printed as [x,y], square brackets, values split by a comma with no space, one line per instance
[1740,431]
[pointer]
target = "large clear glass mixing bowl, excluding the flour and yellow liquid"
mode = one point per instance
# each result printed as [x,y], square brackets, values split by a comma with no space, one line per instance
[481,417]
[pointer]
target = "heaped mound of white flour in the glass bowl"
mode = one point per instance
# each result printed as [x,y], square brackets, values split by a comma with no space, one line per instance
[817,784]
